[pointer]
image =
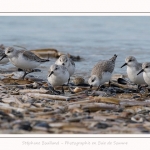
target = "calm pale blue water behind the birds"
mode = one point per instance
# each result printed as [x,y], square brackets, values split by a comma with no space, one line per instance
[92,38]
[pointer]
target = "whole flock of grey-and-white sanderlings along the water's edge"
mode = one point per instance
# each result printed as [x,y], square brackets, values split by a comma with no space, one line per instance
[64,67]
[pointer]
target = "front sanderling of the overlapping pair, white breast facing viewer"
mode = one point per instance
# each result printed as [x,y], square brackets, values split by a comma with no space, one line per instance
[58,75]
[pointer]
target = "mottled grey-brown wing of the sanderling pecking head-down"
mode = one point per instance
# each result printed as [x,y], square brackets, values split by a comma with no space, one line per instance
[103,66]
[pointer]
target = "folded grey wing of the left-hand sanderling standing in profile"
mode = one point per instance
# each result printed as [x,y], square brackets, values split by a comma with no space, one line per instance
[31,56]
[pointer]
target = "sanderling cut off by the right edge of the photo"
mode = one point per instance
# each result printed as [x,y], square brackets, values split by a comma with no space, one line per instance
[146,72]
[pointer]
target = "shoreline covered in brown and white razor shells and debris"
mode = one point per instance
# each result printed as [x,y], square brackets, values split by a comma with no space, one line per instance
[28,107]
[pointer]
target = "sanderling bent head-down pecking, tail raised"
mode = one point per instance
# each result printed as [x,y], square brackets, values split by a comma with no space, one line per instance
[102,72]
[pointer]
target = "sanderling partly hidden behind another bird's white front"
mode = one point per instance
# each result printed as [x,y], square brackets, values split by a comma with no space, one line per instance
[64,60]
